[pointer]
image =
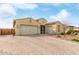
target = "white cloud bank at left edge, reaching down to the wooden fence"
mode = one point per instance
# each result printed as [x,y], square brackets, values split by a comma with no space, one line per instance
[6,12]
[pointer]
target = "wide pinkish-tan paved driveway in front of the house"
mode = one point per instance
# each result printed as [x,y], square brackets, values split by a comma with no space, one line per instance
[37,45]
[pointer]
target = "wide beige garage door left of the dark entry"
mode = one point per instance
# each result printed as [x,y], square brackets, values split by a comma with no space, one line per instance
[28,30]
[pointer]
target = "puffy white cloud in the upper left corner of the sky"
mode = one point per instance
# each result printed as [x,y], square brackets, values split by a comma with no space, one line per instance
[7,9]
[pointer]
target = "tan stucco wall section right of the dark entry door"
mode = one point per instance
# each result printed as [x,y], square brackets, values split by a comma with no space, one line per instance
[53,28]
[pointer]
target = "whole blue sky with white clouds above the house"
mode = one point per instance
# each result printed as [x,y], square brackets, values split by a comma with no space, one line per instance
[64,12]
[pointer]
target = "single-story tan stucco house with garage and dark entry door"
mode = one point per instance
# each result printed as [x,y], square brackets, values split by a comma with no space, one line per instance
[27,26]
